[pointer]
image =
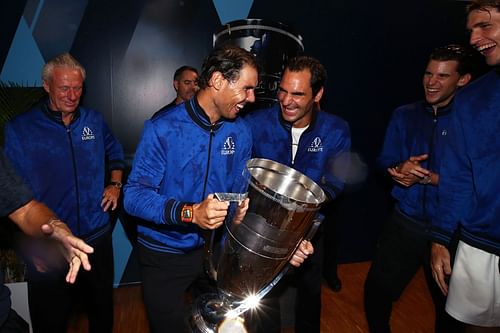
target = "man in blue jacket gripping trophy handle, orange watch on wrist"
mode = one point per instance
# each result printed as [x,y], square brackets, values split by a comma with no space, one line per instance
[184,156]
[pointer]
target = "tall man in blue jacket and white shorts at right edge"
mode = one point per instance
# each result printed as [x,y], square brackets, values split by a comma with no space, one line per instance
[468,187]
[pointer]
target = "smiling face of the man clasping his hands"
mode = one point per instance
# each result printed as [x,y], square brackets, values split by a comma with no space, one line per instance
[441,80]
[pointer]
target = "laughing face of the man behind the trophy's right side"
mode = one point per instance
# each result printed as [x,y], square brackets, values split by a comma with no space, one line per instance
[296,97]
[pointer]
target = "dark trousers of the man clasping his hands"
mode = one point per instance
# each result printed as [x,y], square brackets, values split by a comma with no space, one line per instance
[400,254]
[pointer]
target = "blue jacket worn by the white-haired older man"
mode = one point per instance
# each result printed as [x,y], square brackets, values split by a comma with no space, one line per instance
[65,166]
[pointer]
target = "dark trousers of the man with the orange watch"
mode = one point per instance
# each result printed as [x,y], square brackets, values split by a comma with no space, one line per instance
[165,279]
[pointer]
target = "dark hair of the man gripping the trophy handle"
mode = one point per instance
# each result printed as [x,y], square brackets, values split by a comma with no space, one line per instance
[228,60]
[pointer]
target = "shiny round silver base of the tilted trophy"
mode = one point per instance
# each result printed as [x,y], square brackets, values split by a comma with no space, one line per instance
[209,316]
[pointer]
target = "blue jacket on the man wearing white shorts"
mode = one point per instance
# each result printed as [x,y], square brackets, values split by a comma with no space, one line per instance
[470,174]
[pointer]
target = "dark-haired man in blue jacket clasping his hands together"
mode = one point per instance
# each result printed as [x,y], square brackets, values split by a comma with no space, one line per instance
[412,153]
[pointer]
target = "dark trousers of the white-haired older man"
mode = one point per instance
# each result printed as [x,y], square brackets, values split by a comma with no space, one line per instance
[51,298]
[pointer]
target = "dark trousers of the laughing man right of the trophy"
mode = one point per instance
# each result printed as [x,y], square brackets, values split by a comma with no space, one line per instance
[307,280]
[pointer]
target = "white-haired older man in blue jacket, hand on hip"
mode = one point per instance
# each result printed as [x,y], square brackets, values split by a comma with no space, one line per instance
[61,150]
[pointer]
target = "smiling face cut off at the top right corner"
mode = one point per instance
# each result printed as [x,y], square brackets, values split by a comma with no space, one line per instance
[484,26]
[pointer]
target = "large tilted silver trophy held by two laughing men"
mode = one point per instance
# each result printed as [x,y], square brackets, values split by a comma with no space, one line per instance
[283,204]
